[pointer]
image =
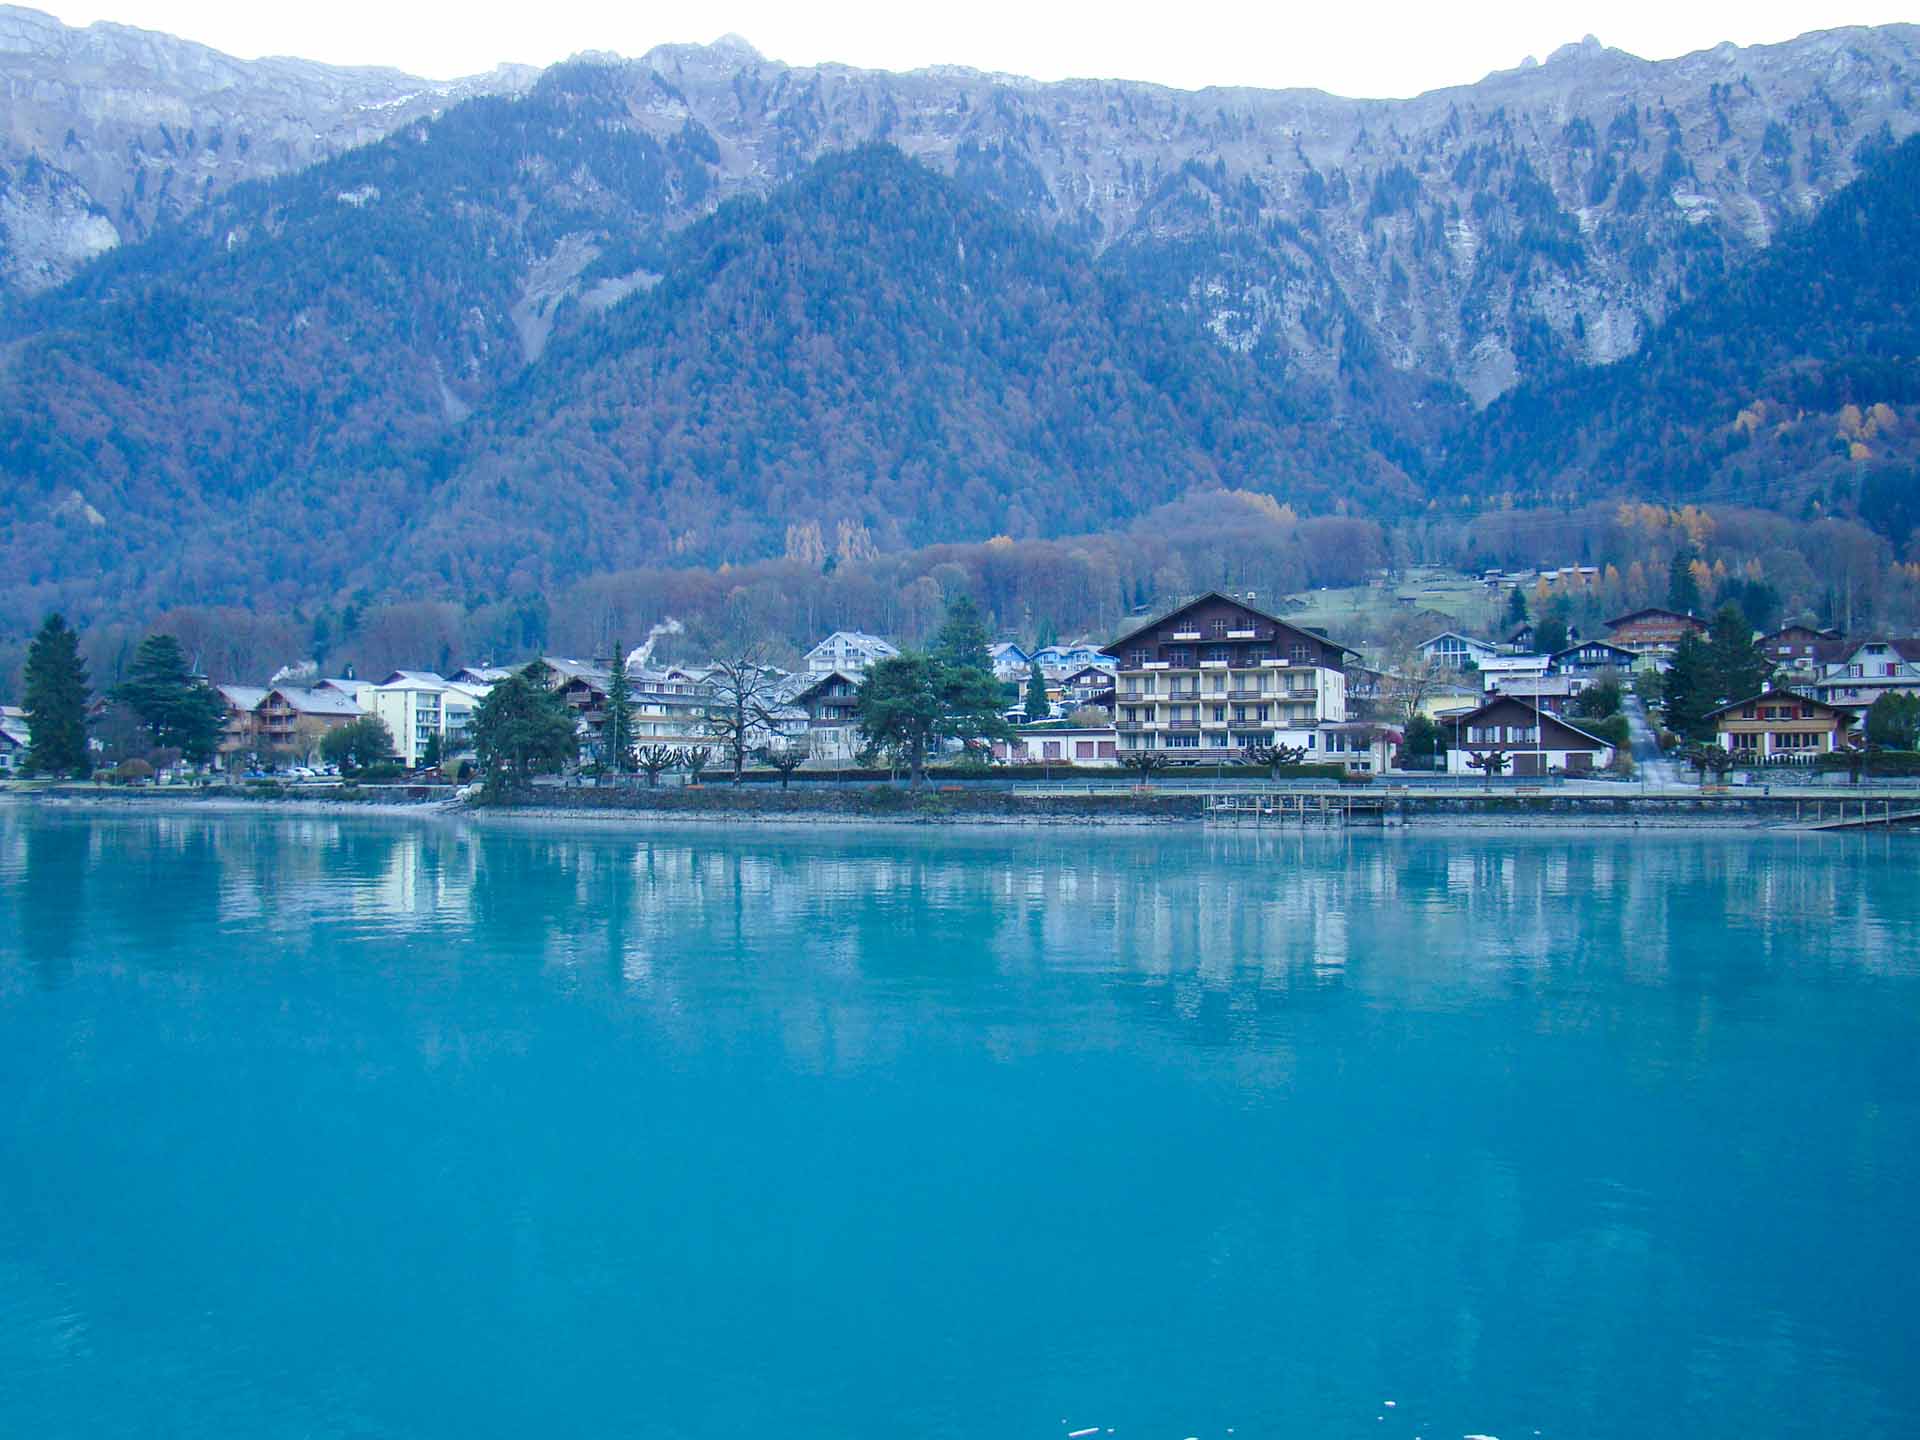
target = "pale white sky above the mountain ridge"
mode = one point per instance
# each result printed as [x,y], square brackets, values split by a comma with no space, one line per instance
[1378,49]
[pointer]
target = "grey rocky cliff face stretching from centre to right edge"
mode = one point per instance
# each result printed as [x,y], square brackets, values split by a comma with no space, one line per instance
[1541,218]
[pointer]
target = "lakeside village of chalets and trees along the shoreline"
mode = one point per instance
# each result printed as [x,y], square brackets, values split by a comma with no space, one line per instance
[1211,709]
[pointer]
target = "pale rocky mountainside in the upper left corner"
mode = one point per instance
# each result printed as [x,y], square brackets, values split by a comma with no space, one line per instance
[110,132]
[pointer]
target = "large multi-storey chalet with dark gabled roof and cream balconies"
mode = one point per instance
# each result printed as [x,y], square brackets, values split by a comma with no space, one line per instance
[1218,675]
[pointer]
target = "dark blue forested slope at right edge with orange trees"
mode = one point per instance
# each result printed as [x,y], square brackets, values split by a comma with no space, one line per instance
[1790,383]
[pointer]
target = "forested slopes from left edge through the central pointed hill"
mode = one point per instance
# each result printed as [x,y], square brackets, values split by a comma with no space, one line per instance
[327,383]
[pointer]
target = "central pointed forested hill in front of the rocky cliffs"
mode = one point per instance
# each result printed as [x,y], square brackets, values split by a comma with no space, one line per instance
[878,352]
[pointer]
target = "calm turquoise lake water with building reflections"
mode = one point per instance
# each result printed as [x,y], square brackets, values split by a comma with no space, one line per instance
[356,1128]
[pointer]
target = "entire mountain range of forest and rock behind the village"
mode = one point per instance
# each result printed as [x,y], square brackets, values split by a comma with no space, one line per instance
[279,331]
